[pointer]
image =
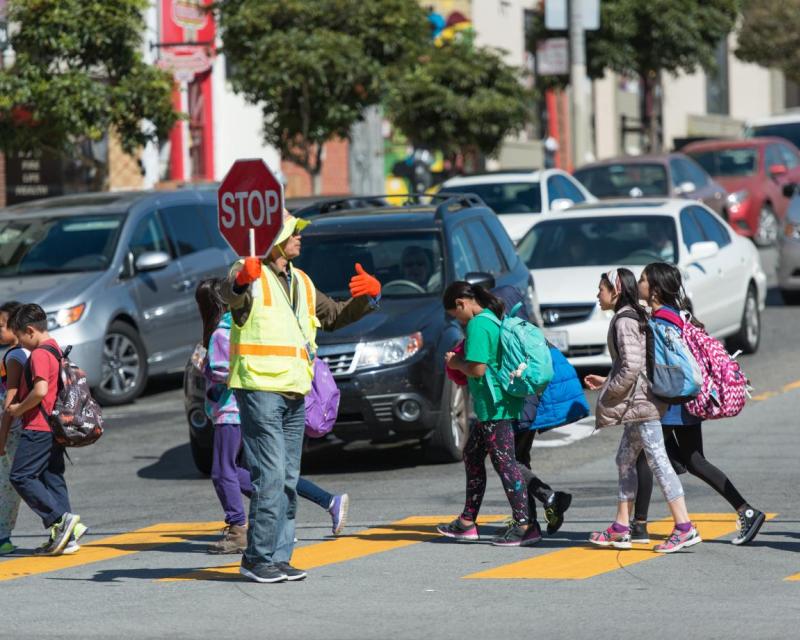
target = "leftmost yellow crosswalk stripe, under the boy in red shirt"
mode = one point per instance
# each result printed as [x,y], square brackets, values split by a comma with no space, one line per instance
[117,546]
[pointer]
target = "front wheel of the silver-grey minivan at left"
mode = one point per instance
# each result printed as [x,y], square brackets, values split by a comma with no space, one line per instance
[124,370]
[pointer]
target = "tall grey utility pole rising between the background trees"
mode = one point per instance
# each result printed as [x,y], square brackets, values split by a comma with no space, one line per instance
[581,144]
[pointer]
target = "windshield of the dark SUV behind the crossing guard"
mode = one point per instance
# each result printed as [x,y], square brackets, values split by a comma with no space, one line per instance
[407,264]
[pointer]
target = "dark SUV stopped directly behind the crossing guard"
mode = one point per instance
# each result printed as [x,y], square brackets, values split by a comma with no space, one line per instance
[389,365]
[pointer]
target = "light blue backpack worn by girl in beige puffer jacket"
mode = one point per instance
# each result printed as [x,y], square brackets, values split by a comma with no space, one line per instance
[674,374]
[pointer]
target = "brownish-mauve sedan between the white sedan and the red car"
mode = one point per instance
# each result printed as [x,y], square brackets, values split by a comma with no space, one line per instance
[671,175]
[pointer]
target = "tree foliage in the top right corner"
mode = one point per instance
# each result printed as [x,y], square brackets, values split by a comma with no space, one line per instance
[769,35]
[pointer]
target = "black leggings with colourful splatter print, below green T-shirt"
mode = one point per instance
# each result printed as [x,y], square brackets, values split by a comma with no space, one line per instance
[495,438]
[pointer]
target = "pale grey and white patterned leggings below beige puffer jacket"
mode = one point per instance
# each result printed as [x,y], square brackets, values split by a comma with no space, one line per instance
[646,436]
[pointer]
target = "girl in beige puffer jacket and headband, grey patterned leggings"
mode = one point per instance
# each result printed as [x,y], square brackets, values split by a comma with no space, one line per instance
[626,399]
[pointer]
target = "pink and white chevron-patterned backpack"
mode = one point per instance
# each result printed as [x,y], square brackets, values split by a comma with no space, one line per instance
[725,387]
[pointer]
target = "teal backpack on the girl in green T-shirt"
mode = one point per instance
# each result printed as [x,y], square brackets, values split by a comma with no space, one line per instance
[526,366]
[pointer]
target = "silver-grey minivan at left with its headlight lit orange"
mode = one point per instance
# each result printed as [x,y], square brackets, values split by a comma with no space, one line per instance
[116,274]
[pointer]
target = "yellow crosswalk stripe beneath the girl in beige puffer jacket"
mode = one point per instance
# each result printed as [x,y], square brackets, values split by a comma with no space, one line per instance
[585,561]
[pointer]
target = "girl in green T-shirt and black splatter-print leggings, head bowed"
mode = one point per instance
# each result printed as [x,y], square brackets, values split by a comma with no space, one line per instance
[476,309]
